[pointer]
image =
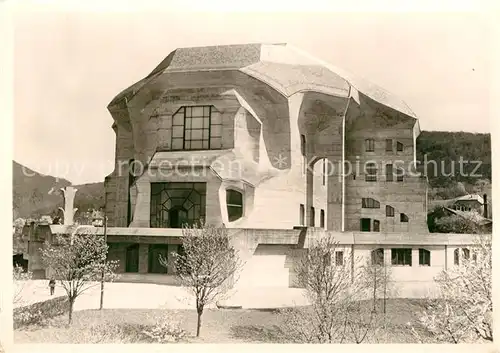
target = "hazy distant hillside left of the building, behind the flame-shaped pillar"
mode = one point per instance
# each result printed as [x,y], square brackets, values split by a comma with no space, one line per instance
[35,194]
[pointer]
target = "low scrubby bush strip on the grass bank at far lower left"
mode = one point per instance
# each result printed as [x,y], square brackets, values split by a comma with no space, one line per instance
[38,312]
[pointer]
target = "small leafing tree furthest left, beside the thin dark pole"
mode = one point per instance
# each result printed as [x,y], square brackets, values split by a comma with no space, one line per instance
[78,262]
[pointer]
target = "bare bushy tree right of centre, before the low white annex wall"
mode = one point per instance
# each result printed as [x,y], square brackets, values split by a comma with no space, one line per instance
[338,312]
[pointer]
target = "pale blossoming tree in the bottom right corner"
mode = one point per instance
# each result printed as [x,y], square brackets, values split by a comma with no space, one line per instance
[463,310]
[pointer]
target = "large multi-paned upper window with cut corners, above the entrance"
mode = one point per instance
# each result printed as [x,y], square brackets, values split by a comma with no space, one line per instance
[196,128]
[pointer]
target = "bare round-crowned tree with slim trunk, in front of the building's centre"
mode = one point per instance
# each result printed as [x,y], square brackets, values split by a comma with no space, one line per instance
[206,265]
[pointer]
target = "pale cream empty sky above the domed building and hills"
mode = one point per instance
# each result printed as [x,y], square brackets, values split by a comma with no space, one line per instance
[69,65]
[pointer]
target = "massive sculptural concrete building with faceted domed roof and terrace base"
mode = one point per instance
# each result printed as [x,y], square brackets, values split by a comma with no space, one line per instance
[278,147]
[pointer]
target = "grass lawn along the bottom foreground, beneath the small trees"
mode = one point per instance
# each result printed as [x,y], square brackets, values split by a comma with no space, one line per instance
[218,326]
